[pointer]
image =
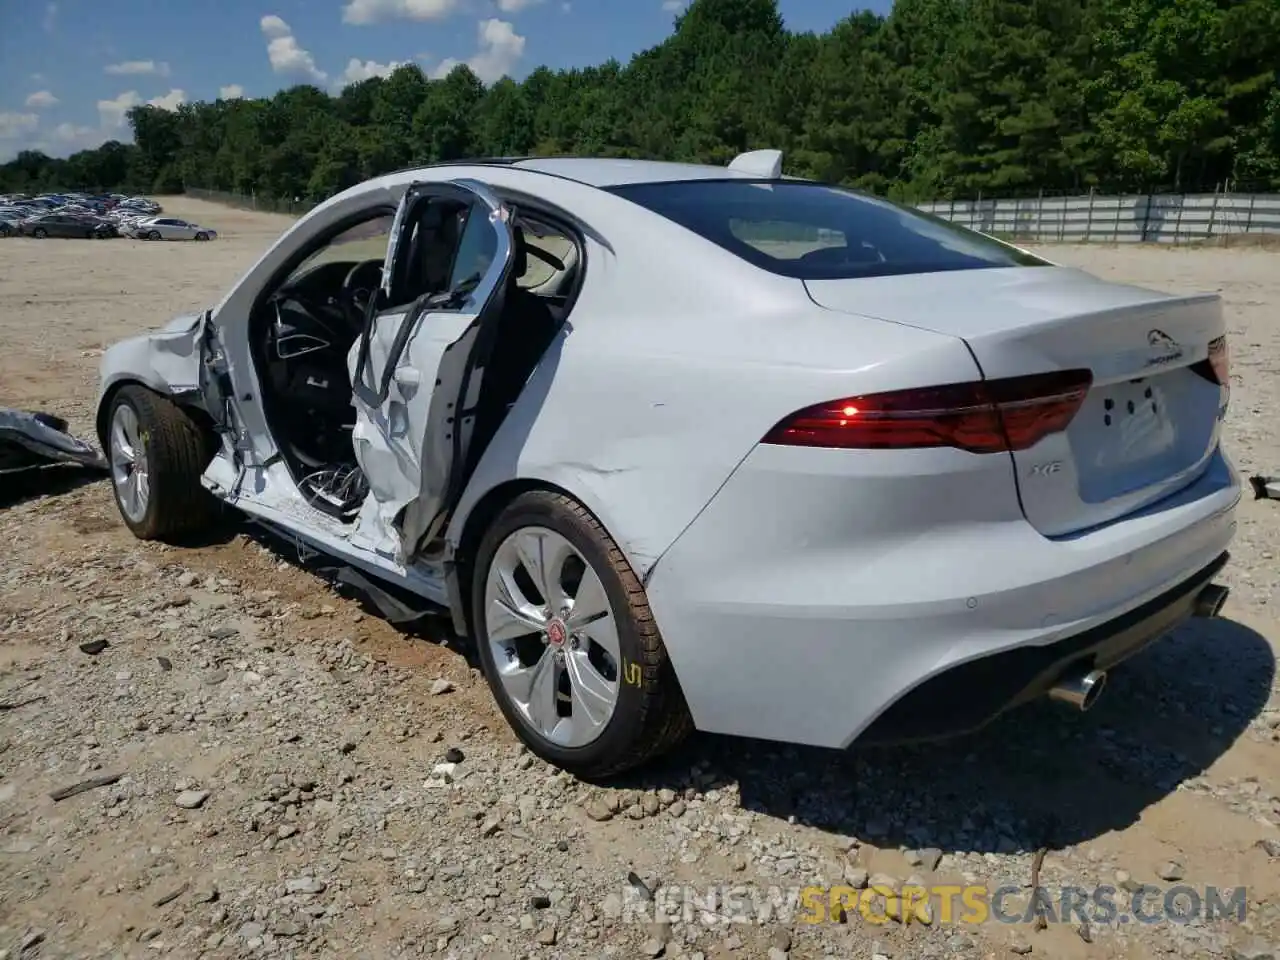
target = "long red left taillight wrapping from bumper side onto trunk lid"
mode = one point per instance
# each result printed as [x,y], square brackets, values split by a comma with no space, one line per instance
[986,417]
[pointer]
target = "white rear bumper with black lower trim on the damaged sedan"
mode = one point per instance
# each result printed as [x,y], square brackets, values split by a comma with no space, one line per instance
[820,592]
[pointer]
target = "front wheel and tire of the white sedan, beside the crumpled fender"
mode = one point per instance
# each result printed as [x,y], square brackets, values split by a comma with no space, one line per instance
[157,455]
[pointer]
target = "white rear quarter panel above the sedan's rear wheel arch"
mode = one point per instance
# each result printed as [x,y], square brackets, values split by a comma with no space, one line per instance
[656,392]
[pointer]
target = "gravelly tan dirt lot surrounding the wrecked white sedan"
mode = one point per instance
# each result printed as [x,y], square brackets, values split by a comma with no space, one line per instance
[280,747]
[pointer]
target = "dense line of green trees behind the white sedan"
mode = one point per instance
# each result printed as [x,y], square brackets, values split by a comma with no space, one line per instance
[939,99]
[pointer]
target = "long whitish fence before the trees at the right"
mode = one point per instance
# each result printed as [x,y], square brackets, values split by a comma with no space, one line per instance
[1160,218]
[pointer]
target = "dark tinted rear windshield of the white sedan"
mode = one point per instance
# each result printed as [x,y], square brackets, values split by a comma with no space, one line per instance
[816,232]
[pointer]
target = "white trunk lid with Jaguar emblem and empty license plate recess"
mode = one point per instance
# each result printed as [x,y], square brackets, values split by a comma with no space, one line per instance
[1151,420]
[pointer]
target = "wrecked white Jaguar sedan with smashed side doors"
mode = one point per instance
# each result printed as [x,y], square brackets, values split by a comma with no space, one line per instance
[688,447]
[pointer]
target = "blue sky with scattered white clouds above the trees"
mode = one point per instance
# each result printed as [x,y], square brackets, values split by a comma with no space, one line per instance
[70,70]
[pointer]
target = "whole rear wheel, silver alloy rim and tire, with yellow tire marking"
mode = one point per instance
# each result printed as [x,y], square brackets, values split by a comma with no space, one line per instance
[569,644]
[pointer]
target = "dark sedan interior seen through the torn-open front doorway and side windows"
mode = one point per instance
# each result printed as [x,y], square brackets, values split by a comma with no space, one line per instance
[303,332]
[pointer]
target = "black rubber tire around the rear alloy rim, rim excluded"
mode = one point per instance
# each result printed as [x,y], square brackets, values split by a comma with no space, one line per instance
[618,739]
